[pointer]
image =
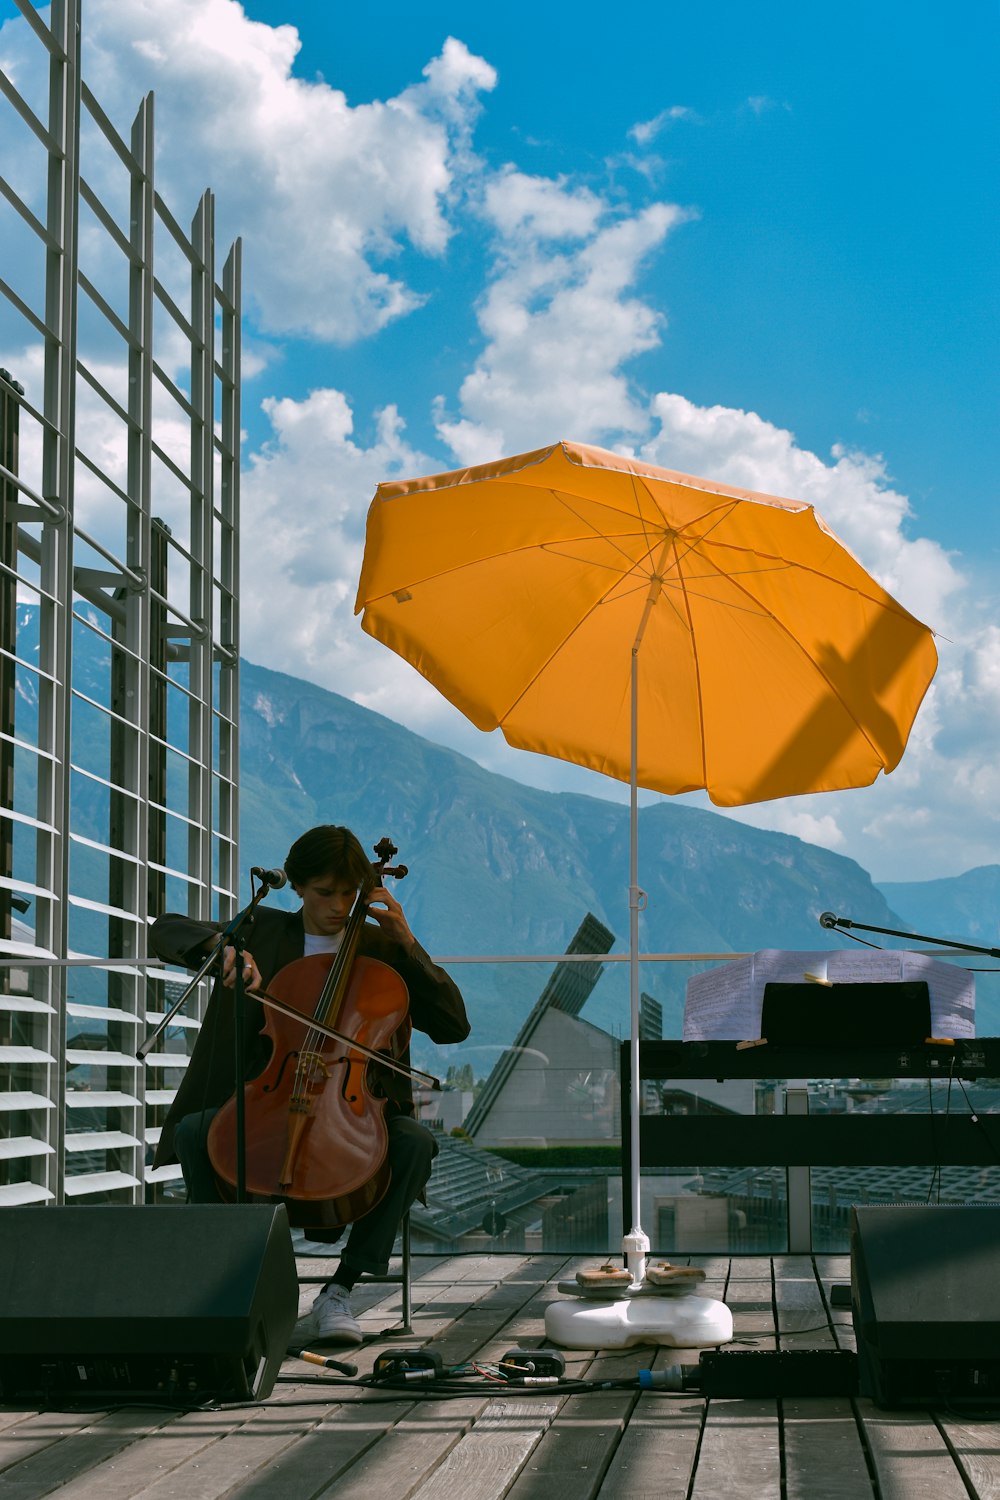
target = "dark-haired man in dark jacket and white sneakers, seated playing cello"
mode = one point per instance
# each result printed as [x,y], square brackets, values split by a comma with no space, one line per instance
[326,868]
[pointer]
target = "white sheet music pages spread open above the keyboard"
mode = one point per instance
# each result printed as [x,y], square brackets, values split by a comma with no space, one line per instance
[725,1004]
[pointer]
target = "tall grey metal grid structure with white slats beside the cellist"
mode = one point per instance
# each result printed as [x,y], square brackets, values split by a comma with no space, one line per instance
[119,596]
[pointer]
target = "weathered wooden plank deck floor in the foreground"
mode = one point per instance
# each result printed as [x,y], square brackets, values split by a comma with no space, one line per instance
[311,1441]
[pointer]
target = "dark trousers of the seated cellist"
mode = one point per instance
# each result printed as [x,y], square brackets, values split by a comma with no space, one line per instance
[412,1153]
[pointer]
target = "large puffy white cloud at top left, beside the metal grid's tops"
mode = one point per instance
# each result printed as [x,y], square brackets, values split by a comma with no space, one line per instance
[326,194]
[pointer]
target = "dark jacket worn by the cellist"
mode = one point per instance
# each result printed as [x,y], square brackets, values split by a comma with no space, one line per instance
[277,940]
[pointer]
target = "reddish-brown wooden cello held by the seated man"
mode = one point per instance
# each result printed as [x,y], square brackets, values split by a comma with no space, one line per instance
[316,1129]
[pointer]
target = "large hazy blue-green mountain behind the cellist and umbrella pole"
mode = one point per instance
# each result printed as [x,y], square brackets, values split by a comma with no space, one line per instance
[504,869]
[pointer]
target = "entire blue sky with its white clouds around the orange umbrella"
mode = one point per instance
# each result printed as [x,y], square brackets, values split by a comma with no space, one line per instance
[752,242]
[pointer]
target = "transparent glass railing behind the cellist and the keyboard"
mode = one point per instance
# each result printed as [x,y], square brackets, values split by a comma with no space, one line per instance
[528,1118]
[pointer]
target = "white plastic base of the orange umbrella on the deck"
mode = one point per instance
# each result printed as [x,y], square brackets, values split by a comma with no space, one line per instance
[681,1322]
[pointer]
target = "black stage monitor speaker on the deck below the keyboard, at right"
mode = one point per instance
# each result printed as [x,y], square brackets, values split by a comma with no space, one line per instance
[926,1301]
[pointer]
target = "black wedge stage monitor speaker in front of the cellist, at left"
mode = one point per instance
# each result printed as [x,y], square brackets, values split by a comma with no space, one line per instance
[187,1303]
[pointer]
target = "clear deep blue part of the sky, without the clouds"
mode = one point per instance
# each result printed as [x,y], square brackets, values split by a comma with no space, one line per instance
[840,278]
